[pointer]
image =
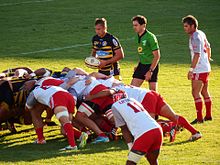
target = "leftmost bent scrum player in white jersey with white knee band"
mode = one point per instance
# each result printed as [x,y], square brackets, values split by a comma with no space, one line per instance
[62,103]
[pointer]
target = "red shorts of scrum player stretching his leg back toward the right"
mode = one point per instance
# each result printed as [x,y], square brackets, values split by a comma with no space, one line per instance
[153,102]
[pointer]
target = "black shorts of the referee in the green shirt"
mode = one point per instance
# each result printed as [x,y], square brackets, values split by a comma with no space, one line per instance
[142,69]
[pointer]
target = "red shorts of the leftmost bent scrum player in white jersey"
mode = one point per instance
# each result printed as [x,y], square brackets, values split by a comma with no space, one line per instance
[64,99]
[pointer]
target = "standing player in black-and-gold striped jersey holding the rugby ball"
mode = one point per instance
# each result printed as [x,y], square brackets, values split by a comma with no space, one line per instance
[107,48]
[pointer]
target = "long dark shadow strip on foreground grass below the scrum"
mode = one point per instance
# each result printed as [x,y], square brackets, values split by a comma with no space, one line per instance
[31,152]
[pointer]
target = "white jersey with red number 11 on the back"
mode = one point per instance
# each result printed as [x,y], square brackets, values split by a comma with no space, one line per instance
[131,113]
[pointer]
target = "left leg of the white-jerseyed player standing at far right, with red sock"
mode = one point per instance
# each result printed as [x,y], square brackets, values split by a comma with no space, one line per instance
[197,86]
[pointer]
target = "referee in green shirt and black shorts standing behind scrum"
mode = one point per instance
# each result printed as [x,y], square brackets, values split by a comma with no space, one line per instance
[148,52]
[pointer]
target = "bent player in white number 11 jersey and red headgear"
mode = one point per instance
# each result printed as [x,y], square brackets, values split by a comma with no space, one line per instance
[141,132]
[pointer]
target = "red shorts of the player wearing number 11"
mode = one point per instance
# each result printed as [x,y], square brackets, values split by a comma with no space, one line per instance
[149,141]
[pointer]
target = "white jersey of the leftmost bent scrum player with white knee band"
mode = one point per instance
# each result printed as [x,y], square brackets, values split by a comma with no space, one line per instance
[44,95]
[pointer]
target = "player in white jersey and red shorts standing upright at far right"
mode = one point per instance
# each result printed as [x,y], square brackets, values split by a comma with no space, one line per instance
[200,67]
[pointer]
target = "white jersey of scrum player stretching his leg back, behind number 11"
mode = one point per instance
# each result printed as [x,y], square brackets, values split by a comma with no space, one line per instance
[133,92]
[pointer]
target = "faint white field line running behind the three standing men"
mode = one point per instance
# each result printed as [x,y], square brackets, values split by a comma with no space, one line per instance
[79,45]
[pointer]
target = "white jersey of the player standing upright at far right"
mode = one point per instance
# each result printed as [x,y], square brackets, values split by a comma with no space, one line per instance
[198,43]
